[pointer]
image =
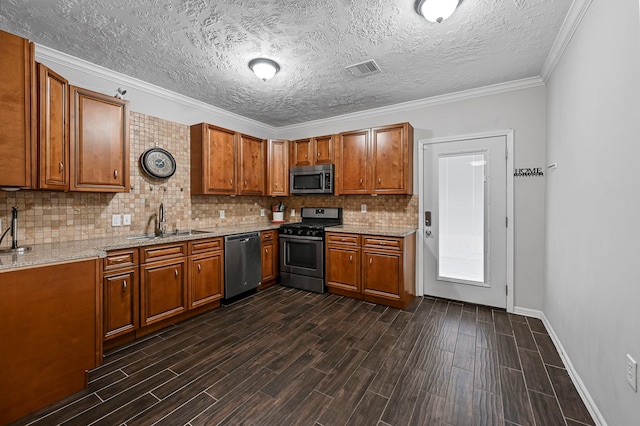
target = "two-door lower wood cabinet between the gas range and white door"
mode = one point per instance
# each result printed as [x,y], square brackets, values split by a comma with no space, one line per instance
[376,269]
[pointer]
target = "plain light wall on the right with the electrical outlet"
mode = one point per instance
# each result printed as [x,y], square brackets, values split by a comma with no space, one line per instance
[592,250]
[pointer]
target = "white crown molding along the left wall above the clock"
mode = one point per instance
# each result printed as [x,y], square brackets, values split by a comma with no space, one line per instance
[49,55]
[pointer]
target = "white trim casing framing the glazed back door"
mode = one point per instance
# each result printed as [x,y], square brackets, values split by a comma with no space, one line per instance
[508,134]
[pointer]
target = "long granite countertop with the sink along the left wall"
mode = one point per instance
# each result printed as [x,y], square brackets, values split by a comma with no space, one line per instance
[44,254]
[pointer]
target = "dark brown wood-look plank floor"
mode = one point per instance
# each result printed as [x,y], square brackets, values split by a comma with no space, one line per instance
[289,357]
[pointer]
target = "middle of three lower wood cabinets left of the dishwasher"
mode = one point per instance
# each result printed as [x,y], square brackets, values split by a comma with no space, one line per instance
[163,282]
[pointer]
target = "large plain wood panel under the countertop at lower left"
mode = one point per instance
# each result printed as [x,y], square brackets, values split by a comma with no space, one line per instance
[50,334]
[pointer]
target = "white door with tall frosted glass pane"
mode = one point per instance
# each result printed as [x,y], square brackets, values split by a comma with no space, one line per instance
[465,205]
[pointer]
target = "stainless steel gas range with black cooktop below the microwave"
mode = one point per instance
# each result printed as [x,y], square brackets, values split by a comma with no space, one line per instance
[302,248]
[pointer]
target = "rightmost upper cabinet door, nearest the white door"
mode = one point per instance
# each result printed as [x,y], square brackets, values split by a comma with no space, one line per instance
[392,159]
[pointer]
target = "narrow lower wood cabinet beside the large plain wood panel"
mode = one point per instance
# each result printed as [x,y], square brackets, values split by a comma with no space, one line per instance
[120,300]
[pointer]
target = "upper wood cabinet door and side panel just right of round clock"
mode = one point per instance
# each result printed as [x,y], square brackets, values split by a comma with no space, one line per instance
[213,159]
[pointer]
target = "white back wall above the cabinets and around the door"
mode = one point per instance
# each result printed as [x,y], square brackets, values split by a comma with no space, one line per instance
[521,110]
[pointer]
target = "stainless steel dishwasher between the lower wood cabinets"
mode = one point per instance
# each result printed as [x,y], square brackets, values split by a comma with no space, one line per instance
[242,263]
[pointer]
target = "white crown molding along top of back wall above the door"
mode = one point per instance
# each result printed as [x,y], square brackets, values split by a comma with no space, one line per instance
[493,89]
